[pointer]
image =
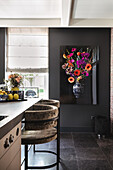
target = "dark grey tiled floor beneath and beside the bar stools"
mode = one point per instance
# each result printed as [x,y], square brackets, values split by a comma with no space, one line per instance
[78,152]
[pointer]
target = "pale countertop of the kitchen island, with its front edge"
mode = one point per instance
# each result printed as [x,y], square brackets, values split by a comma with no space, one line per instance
[14,112]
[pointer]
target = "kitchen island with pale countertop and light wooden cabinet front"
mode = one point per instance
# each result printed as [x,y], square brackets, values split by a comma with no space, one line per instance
[10,132]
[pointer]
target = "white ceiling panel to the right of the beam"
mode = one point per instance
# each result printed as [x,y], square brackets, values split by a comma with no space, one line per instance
[93,9]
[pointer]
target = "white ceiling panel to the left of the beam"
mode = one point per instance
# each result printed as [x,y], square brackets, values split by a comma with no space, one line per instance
[30,8]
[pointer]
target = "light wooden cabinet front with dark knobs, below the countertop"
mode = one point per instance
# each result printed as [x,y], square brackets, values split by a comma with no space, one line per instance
[10,150]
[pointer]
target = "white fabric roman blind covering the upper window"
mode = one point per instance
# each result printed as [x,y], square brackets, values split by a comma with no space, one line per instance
[27,49]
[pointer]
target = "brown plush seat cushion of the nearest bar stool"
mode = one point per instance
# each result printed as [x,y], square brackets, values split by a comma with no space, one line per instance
[38,136]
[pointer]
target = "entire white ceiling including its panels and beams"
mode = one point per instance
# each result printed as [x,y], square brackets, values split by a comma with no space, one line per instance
[53,13]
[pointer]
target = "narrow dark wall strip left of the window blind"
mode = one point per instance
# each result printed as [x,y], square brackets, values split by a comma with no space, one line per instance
[2,54]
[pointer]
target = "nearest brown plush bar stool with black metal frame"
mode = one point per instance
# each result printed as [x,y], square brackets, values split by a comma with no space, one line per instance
[41,126]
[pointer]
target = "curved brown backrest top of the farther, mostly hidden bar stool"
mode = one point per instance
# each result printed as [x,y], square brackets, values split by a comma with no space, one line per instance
[50,102]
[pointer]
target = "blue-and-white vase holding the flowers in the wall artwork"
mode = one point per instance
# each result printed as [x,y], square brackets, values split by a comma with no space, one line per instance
[78,89]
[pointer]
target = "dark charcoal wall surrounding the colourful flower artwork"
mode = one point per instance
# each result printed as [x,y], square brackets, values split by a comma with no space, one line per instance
[78,117]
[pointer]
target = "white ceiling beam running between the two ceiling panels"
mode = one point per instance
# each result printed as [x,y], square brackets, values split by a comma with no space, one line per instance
[66,12]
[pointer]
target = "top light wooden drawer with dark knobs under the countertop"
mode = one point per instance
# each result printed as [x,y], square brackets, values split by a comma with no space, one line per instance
[15,132]
